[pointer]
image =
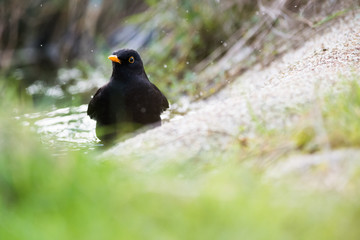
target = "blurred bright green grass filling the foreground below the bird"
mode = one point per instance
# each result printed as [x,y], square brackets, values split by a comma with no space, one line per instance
[76,196]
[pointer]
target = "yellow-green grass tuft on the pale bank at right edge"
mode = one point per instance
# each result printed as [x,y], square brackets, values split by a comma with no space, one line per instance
[334,121]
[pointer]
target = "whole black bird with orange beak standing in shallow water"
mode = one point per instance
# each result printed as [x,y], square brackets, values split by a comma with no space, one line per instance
[128,101]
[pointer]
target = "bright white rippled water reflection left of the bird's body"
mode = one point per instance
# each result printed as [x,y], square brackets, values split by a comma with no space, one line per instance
[66,128]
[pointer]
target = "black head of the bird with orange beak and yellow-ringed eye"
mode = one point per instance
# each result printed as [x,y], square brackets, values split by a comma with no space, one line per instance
[126,62]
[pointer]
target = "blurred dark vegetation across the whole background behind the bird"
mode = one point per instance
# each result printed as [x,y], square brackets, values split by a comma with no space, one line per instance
[177,39]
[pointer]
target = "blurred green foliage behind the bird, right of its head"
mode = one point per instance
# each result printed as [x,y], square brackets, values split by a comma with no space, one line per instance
[187,33]
